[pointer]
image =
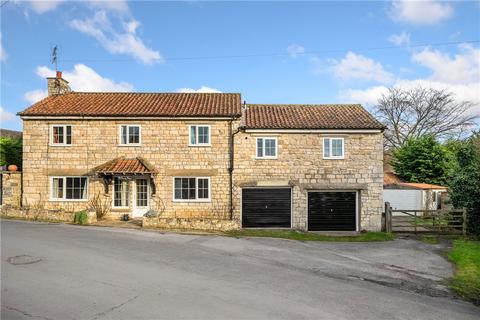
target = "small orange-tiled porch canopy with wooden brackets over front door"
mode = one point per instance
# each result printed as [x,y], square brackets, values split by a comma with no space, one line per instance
[124,168]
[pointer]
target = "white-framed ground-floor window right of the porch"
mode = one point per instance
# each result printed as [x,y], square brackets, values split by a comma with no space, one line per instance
[191,189]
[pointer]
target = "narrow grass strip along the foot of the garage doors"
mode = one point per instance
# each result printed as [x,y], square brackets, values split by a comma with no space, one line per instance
[310,236]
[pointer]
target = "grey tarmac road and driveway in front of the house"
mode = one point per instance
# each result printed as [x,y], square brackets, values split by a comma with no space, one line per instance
[105,273]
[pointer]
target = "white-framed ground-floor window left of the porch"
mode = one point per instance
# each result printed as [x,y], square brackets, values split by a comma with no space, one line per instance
[68,188]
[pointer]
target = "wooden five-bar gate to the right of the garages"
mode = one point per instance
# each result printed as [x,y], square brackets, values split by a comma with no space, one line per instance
[444,221]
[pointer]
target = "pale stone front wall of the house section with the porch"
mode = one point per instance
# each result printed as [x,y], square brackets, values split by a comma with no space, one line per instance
[164,144]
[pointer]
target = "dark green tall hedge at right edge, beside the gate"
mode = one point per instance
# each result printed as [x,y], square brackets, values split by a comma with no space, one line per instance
[465,183]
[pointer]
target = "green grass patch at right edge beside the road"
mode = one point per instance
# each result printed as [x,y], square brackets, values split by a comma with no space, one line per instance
[466,282]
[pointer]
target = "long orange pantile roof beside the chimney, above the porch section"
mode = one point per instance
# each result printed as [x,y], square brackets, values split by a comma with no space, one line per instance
[121,104]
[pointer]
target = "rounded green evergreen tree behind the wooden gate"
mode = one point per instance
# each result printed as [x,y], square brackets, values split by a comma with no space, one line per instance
[422,159]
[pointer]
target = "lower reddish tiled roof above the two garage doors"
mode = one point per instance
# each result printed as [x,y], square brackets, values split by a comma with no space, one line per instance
[323,116]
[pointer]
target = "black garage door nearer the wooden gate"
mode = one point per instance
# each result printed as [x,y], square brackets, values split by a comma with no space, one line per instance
[332,211]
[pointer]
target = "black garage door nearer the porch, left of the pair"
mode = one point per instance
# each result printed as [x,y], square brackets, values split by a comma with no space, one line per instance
[266,207]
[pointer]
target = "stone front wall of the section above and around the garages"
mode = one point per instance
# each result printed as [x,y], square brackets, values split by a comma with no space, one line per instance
[300,164]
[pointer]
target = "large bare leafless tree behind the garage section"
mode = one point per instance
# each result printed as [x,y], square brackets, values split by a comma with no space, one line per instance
[419,112]
